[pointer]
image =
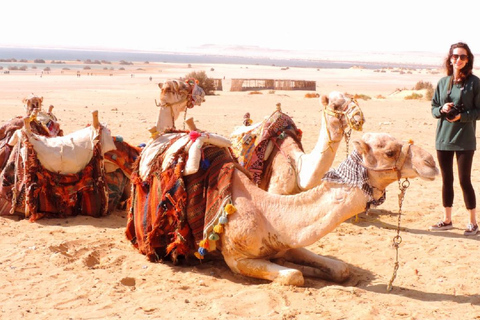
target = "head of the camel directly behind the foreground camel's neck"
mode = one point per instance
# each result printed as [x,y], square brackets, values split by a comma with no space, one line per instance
[345,109]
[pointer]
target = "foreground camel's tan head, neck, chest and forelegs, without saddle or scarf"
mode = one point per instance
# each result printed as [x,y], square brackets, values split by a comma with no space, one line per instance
[268,226]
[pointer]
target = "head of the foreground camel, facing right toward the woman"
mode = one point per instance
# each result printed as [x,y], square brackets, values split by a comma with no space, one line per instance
[386,157]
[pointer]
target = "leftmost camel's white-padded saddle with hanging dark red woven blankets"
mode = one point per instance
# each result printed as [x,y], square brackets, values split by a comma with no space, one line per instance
[86,172]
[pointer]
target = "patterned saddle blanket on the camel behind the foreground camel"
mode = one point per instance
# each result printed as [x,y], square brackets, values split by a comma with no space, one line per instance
[249,147]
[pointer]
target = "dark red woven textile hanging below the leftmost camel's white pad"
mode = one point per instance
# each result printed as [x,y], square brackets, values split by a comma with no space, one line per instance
[38,192]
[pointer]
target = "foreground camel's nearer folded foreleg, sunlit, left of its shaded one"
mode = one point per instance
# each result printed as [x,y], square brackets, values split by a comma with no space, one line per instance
[264,269]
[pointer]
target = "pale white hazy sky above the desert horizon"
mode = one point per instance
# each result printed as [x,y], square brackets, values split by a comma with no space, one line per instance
[345,25]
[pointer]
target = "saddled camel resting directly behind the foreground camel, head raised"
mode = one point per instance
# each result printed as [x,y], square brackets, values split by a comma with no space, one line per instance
[285,167]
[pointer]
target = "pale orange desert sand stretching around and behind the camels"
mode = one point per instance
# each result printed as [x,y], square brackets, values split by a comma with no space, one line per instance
[84,268]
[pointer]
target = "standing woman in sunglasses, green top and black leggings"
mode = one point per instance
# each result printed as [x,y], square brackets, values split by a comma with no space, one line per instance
[456,105]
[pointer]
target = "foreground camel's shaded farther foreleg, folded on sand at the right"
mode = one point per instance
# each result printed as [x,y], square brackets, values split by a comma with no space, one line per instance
[314,265]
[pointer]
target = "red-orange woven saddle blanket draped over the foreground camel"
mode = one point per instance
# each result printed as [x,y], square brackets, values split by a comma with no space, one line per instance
[170,212]
